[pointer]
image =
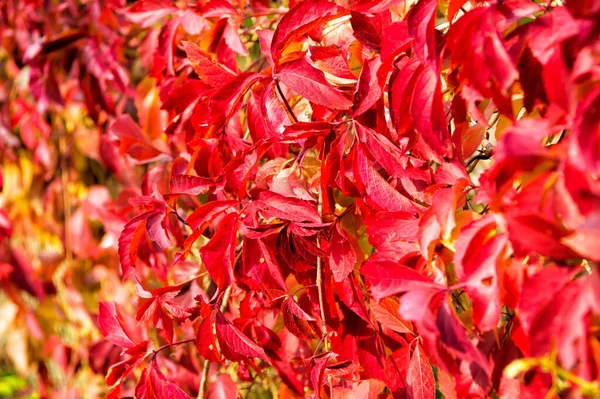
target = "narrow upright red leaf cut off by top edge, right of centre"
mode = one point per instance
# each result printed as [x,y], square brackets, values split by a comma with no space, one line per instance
[421,27]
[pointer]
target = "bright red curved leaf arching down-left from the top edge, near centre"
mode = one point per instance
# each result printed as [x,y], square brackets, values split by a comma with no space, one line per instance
[301,19]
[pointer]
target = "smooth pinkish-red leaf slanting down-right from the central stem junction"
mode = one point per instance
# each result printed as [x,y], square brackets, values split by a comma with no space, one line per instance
[378,190]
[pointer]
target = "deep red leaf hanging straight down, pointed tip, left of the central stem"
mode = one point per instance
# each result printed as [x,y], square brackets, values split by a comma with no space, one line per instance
[219,253]
